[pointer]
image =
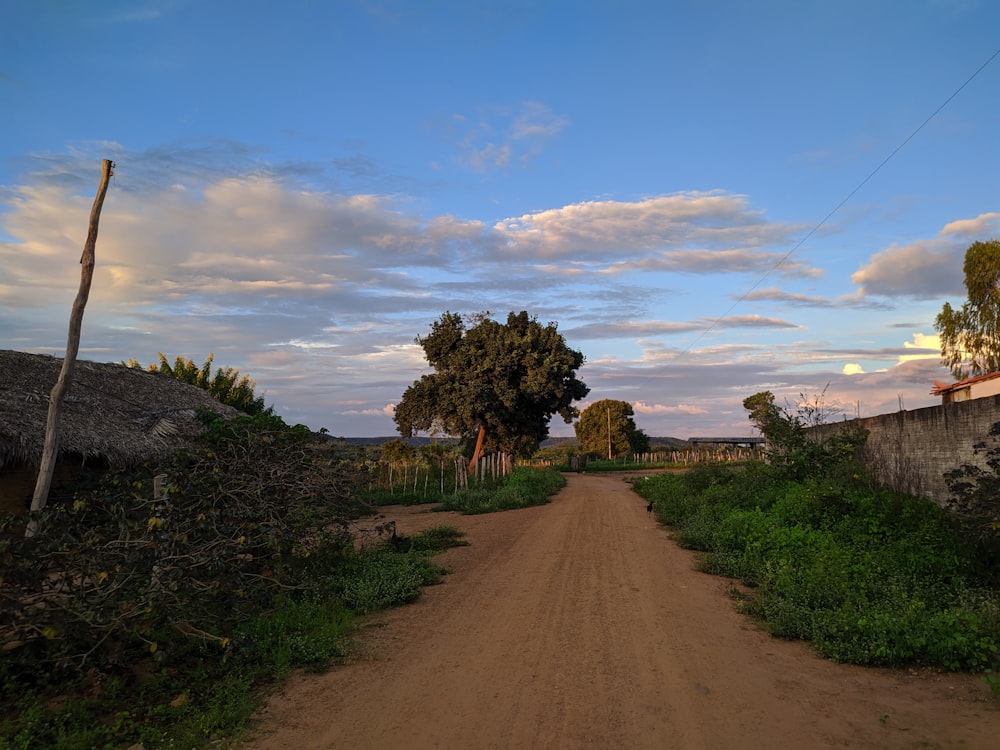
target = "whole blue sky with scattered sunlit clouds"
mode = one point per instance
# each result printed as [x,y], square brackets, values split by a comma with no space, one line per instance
[303,187]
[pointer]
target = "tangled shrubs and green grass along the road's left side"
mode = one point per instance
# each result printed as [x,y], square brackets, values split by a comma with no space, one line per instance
[159,616]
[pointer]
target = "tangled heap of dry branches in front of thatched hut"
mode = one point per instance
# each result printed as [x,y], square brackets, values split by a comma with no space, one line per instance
[256,510]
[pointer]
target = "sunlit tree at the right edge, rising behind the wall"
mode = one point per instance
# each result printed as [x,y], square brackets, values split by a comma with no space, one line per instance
[970,336]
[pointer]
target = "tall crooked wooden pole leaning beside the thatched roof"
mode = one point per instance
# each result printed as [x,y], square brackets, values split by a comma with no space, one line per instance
[87,261]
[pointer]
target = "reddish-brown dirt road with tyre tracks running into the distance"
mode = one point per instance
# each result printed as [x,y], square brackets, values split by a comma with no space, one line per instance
[579,624]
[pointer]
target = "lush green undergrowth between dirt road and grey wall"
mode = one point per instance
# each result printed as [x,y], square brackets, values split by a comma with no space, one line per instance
[818,553]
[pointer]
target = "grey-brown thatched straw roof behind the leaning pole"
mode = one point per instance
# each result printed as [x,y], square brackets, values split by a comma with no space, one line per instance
[111,412]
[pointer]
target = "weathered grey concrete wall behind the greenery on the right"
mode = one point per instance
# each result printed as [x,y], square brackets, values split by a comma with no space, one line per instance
[911,450]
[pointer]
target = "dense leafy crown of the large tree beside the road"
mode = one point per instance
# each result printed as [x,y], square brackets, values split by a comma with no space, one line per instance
[499,382]
